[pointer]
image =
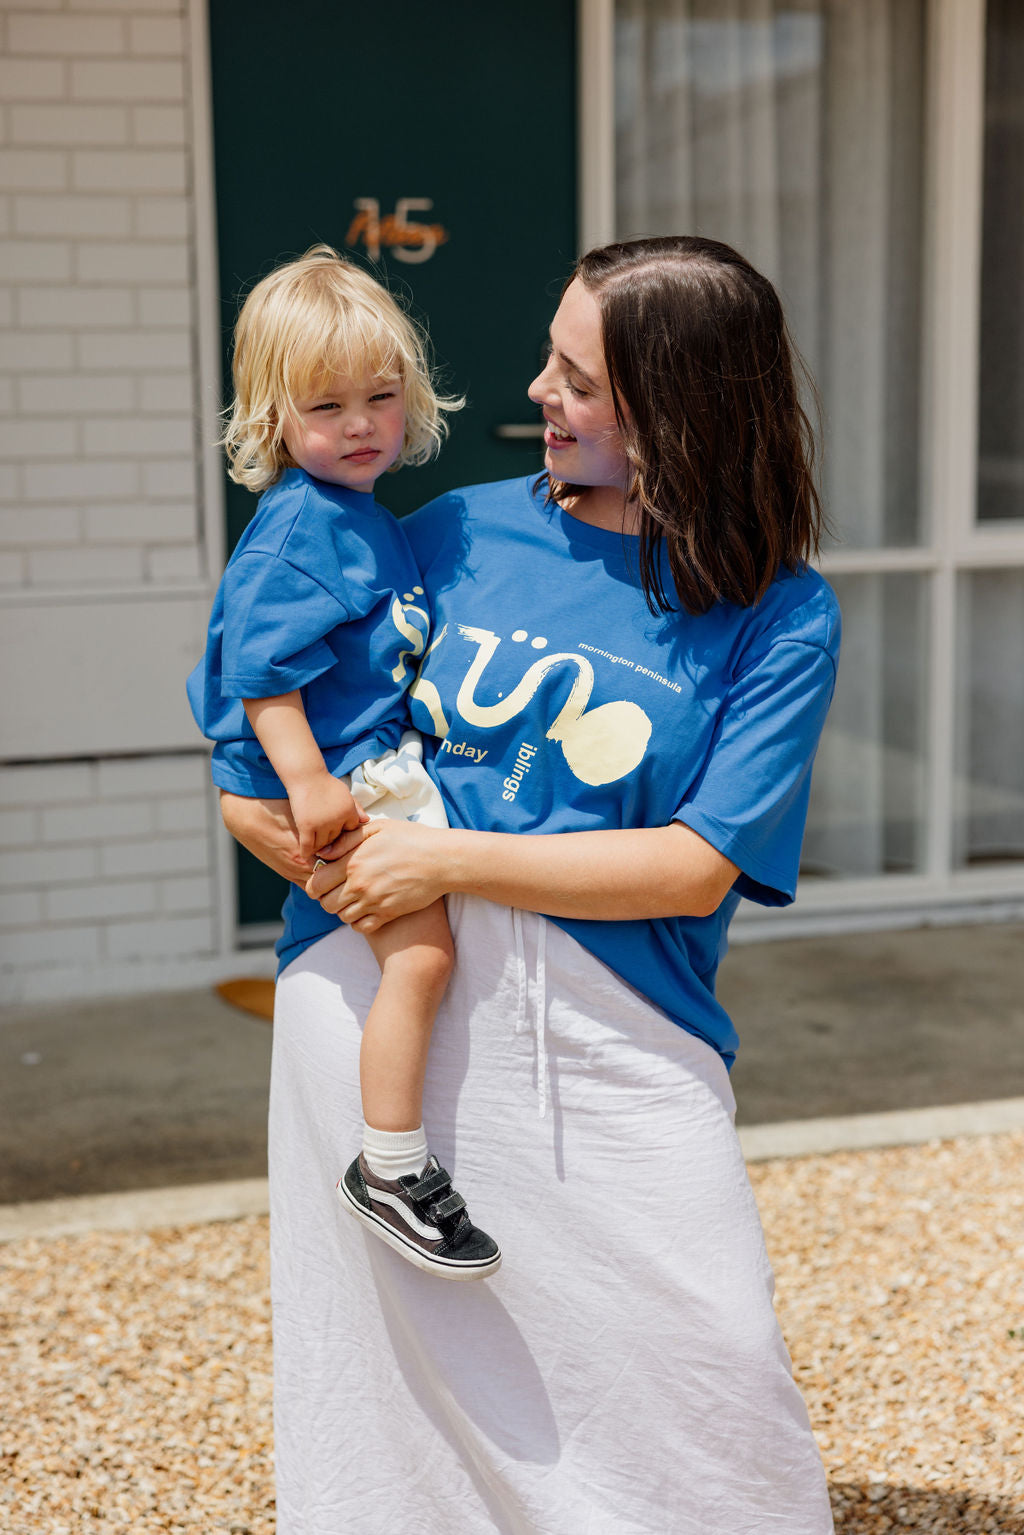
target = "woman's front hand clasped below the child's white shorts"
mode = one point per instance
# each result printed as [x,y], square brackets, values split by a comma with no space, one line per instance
[383,871]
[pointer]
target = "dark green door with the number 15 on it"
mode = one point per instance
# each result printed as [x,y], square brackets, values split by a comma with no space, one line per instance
[435,144]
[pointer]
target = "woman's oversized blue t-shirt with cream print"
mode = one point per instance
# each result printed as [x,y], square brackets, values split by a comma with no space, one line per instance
[553,701]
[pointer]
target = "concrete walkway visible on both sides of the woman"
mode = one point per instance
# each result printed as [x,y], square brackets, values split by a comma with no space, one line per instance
[170,1089]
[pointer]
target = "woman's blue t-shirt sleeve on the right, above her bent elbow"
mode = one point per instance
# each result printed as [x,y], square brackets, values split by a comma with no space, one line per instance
[750,801]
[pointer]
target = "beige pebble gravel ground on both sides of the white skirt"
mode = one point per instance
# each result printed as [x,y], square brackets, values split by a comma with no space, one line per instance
[139,1365]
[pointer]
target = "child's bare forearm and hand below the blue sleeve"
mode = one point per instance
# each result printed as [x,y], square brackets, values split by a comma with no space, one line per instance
[322,805]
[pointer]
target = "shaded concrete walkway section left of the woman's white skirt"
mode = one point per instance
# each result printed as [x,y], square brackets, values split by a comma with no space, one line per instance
[131,1094]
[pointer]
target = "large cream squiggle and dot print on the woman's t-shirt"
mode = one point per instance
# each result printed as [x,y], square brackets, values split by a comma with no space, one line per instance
[600,745]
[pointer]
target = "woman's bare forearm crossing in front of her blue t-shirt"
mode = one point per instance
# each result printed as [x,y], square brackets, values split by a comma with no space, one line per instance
[615,876]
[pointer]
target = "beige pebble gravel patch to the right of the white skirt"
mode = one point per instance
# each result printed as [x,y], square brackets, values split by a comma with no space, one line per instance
[899,1281]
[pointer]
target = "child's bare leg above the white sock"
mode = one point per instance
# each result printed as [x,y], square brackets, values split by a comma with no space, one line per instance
[415,956]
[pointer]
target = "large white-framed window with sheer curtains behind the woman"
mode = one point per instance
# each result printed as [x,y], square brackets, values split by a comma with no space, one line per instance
[827,142]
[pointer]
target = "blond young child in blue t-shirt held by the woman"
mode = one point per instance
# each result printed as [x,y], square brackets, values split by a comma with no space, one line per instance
[303,685]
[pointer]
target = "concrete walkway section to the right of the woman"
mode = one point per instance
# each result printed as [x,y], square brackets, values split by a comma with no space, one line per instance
[867,1023]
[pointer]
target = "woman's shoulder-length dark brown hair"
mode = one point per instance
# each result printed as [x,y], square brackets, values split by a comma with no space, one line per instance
[722,452]
